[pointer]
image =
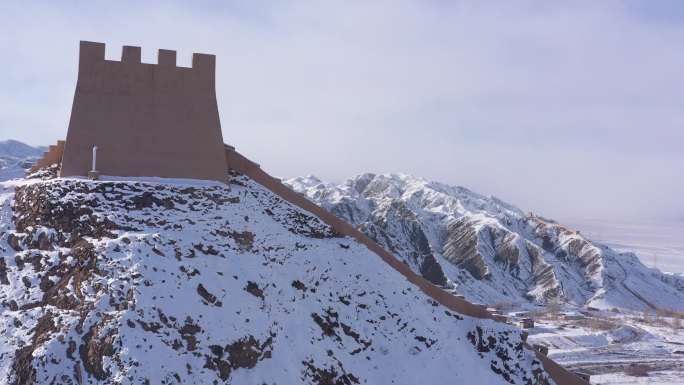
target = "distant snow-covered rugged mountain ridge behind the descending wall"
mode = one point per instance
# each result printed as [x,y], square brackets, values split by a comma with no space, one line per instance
[491,251]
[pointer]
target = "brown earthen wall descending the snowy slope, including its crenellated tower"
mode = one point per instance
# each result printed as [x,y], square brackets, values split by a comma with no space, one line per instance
[162,147]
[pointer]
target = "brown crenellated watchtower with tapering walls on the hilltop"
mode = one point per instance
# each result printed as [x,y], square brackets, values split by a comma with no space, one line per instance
[146,119]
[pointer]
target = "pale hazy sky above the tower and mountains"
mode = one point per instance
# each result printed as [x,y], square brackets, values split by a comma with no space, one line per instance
[564,108]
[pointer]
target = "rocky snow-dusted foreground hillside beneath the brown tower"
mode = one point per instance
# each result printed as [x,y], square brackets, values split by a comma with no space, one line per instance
[134,282]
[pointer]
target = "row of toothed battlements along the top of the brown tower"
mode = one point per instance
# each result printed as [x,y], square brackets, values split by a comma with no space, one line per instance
[93,52]
